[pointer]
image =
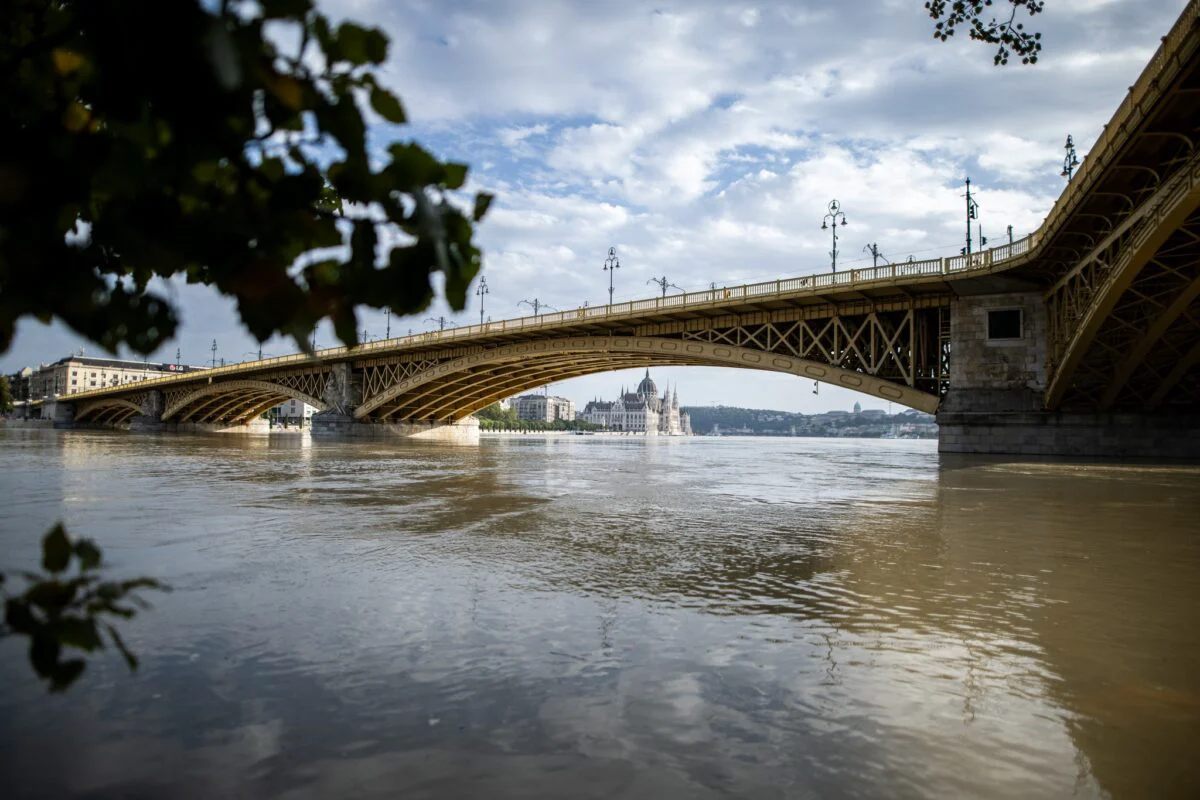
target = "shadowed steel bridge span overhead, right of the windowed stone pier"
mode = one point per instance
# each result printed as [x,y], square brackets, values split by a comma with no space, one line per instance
[1124,272]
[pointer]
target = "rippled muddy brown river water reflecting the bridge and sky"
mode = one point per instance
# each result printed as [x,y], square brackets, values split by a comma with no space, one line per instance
[592,618]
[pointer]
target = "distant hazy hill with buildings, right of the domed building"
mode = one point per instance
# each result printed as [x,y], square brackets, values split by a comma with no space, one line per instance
[765,423]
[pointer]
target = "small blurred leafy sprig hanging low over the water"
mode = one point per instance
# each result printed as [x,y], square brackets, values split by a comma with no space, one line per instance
[64,610]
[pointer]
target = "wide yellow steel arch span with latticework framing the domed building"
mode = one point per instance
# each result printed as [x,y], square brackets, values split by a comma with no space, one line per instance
[899,356]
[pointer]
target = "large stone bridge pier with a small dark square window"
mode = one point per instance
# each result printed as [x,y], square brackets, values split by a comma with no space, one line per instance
[997,400]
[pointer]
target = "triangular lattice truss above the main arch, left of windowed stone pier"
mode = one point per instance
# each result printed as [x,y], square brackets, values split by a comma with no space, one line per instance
[905,347]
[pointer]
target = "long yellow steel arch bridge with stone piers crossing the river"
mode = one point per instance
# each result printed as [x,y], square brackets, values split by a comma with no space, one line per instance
[1083,338]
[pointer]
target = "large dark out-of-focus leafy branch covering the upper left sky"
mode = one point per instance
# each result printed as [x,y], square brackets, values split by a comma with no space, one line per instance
[226,143]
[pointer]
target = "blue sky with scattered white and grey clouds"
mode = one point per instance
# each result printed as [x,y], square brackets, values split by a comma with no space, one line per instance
[704,141]
